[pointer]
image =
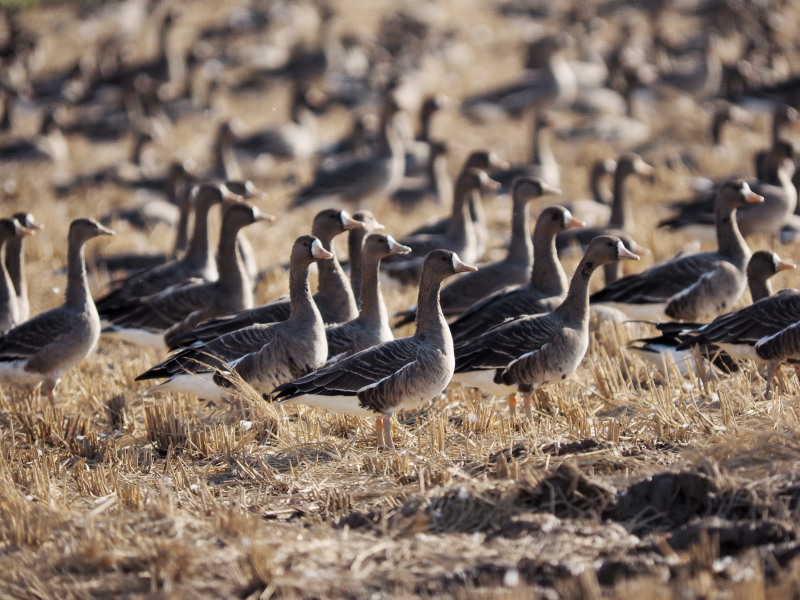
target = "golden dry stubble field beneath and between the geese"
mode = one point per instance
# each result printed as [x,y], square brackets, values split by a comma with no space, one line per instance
[626,483]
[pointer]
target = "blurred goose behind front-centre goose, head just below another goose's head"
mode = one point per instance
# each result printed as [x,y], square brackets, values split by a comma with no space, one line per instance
[459,237]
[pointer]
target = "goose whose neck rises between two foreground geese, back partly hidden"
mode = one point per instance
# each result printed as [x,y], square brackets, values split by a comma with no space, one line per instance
[334,297]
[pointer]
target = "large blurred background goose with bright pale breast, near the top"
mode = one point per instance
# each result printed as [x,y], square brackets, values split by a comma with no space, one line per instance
[538,88]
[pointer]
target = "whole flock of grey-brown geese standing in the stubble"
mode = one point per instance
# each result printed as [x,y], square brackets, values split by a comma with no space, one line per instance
[506,327]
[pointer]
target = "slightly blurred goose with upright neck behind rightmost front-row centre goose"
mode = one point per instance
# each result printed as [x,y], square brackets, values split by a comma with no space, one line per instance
[619,219]
